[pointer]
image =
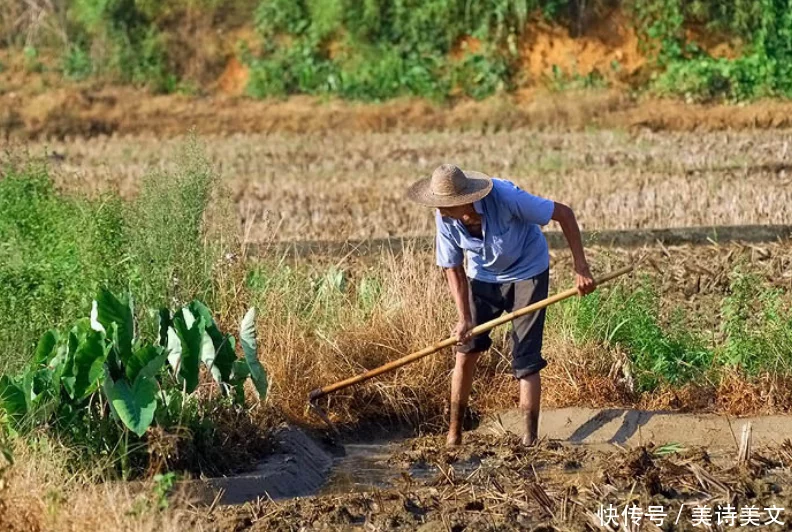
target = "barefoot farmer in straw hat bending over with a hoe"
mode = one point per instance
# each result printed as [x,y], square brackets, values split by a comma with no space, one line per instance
[495,226]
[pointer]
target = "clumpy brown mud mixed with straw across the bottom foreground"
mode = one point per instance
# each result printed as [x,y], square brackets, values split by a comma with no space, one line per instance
[492,482]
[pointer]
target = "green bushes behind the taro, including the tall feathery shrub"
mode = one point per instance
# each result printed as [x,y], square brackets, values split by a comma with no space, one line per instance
[56,250]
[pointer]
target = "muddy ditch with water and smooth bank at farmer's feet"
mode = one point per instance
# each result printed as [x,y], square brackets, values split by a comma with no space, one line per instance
[308,467]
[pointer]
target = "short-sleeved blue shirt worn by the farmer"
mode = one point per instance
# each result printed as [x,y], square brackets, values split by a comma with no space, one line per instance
[513,247]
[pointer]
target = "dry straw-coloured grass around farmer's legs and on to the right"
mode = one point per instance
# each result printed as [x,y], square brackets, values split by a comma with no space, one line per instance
[306,350]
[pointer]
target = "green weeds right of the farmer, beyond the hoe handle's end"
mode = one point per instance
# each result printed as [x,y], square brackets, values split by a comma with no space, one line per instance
[756,327]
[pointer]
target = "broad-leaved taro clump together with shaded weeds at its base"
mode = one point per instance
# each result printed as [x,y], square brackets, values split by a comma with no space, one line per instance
[100,388]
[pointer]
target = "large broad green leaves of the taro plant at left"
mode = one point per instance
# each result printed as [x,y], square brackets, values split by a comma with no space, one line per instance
[102,359]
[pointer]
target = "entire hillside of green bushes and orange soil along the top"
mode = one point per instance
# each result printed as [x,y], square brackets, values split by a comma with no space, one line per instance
[380,49]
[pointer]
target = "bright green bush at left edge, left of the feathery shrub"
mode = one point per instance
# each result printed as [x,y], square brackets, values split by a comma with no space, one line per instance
[54,252]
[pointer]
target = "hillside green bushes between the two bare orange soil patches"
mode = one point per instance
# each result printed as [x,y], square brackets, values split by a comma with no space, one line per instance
[388,48]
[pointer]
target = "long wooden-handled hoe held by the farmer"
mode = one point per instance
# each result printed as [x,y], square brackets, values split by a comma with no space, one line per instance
[317,394]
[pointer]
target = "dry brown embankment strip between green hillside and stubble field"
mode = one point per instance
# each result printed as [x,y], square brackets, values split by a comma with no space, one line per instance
[86,112]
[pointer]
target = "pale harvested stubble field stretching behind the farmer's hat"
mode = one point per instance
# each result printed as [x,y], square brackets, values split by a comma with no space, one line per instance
[349,186]
